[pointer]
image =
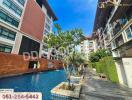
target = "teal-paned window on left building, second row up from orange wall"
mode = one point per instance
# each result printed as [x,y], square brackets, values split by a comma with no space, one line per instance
[5,33]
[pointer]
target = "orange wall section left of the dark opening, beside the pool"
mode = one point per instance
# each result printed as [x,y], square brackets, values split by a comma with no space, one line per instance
[12,64]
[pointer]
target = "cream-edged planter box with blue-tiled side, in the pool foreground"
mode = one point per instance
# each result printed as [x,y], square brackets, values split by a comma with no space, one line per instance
[60,94]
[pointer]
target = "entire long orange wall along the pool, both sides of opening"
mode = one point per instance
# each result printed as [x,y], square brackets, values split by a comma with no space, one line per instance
[15,64]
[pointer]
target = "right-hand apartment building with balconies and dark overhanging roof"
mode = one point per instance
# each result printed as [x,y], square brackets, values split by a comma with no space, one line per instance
[113,25]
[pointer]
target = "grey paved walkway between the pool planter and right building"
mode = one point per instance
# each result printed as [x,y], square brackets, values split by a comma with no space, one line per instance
[95,88]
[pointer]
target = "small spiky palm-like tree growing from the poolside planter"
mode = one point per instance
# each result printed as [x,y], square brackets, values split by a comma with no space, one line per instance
[73,61]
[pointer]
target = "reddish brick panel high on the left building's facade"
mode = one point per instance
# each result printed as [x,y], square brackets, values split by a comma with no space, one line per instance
[33,20]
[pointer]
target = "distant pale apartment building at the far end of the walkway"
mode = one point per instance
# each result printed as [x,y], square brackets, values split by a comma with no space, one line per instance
[87,46]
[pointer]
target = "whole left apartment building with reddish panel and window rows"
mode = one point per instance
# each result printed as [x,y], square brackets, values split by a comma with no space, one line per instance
[23,25]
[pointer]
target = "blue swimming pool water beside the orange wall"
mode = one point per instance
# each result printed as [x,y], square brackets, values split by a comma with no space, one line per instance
[39,82]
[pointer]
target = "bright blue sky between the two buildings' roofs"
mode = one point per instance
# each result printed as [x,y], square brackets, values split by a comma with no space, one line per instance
[75,14]
